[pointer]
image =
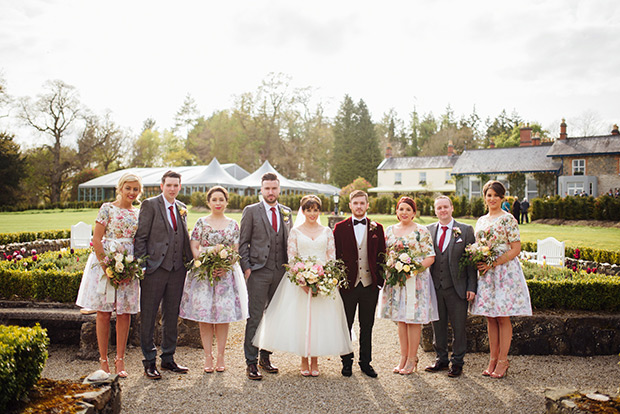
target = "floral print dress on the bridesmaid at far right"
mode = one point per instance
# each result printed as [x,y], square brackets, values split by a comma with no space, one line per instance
[502,290]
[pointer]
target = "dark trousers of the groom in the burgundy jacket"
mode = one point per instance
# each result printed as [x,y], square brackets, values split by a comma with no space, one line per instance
[364,299]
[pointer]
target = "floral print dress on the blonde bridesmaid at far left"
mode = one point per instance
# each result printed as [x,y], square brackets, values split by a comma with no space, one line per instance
[120,228]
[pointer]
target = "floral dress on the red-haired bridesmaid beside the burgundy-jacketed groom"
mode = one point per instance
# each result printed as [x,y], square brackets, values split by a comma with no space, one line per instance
[401,305]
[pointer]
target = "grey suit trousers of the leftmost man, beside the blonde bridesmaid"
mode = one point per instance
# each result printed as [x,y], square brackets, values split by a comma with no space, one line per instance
[165,287]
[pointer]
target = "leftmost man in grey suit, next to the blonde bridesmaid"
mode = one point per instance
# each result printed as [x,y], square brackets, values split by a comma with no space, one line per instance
[163,238]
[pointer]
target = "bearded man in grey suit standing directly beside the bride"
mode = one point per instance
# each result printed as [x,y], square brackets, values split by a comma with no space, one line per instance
[262,245]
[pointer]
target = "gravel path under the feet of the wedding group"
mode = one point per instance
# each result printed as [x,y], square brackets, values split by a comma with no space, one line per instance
[287,392]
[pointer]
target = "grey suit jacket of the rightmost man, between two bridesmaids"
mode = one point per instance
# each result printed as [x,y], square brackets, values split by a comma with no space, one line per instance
[464,279]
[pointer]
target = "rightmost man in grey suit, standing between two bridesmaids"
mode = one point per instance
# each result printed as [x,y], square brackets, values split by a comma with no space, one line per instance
[454,285]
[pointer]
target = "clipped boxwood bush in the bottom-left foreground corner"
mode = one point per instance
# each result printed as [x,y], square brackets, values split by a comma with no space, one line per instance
[23,352]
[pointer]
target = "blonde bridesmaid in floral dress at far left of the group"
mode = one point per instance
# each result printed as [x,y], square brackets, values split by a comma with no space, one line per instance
[115,227]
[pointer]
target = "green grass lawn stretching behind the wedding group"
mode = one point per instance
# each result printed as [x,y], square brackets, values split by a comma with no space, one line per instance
[574,236]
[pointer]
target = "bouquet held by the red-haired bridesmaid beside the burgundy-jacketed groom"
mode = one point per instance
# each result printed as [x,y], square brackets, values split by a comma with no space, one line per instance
[402,262]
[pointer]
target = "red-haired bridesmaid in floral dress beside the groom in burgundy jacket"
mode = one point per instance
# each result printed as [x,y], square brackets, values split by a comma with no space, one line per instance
[415,303]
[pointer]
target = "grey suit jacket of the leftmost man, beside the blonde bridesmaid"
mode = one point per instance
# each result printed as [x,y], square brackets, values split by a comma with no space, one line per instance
[154,232]
